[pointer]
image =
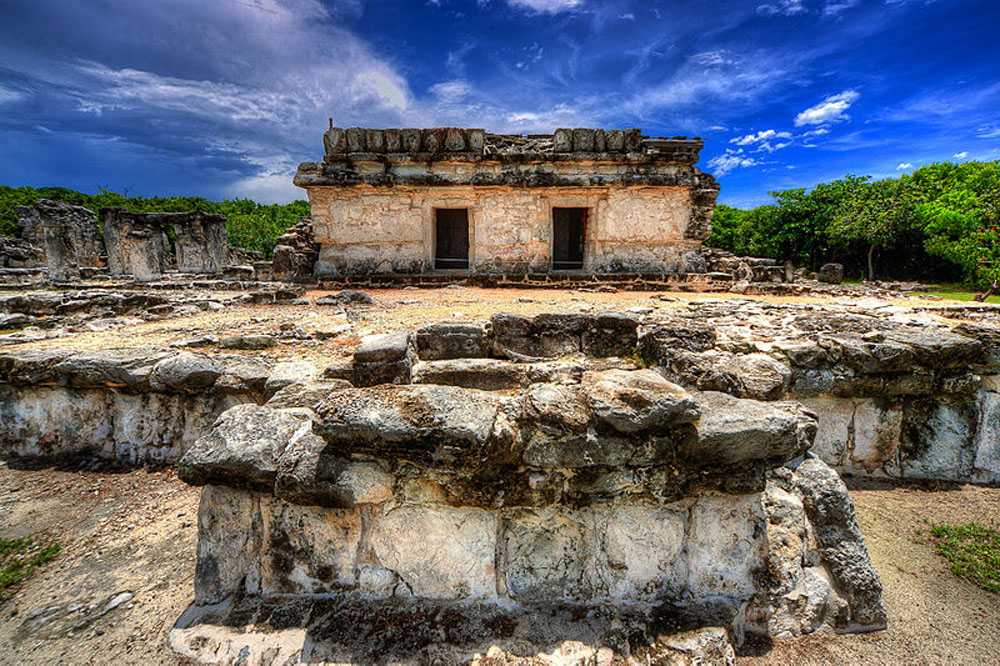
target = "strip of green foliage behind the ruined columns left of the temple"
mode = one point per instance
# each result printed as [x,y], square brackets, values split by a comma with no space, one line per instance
[249,224]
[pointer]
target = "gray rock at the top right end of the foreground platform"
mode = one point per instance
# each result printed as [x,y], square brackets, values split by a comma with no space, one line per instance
[733,430]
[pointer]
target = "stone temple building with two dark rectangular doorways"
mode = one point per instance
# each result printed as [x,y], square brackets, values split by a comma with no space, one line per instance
[464,200]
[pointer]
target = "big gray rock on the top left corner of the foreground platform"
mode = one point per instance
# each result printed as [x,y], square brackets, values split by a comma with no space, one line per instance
[243,448]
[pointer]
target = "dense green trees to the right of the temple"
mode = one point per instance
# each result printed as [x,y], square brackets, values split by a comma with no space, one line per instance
[938,223]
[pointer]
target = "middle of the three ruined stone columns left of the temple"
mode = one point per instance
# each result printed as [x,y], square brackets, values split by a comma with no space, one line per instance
[136,243]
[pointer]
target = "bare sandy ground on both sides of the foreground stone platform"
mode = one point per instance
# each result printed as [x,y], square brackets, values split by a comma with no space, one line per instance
[135,532]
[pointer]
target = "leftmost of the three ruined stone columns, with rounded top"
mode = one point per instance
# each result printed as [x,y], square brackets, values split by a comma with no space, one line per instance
[70,238]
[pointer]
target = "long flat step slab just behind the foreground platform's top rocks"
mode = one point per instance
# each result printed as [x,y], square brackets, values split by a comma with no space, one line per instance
[490,374]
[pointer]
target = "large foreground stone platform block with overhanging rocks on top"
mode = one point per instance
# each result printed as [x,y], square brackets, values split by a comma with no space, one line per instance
[619,501]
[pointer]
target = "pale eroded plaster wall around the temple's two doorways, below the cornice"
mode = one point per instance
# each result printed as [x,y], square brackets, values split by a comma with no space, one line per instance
[366,229]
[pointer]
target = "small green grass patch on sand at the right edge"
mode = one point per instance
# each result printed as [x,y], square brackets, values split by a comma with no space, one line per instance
[972,551]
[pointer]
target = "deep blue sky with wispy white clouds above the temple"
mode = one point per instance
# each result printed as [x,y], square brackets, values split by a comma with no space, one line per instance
[223,98]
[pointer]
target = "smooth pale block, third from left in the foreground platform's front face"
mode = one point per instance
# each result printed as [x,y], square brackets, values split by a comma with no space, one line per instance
[439,552]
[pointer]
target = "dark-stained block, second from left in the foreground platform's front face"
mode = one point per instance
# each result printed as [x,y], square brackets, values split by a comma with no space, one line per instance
[307,550]
